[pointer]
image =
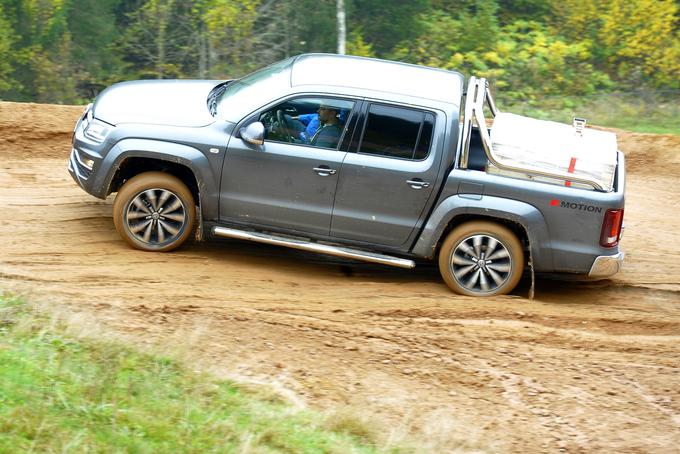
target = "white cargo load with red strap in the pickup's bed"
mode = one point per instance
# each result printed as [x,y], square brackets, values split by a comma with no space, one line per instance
[547,146]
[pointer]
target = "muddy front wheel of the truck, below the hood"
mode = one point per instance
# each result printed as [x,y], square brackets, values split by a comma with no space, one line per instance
[154,211]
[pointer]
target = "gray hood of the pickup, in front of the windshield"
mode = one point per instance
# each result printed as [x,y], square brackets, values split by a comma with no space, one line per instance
[158,102]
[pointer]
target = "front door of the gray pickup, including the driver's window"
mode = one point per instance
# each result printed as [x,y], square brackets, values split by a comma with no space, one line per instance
[290,181]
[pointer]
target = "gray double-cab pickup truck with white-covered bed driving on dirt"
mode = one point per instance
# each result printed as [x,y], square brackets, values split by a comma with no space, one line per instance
[359,158]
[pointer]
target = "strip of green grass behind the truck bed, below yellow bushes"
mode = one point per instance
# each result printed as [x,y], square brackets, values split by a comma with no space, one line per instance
[656,113]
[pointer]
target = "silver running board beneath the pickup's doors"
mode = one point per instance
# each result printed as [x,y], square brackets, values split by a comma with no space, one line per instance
[314,247]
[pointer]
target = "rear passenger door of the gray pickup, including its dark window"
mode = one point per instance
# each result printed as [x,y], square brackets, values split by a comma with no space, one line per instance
[388,178]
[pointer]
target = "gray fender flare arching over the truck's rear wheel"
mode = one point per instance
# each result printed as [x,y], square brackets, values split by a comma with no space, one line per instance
[528,216]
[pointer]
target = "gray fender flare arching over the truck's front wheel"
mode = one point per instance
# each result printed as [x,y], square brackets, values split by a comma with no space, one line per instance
[160,150]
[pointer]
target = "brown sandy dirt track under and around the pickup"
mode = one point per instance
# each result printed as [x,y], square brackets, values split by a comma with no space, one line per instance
[583,367]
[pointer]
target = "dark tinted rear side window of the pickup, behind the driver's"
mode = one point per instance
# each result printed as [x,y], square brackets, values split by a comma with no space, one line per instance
[397,132]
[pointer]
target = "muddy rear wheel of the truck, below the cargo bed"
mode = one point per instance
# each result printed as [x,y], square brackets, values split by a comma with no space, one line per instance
[481,258]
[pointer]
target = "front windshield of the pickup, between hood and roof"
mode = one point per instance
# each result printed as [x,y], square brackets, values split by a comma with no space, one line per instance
[252,91]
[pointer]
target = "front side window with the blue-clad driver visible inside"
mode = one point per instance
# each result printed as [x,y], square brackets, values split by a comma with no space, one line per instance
[314,121]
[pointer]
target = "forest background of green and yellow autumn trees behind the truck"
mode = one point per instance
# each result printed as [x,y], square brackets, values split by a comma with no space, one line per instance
[616,60]
